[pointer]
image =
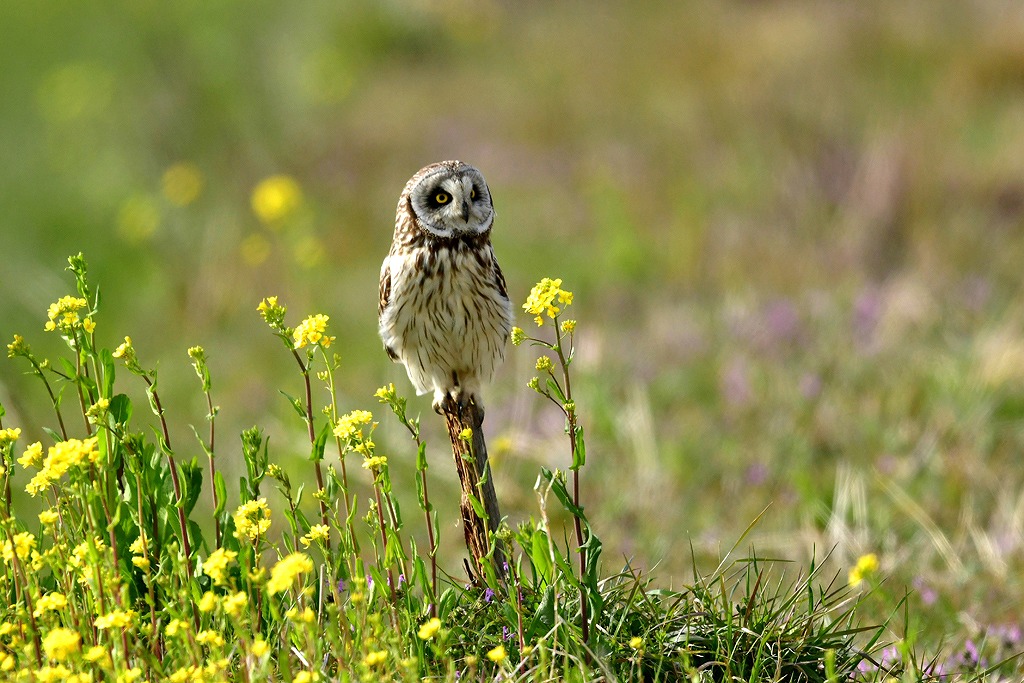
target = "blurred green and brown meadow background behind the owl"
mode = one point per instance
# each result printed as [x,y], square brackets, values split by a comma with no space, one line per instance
[795,232]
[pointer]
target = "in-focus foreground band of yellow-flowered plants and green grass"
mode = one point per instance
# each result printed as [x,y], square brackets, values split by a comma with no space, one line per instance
[109,577]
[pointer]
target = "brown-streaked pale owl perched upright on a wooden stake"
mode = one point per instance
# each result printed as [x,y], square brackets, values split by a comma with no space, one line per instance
[445,311]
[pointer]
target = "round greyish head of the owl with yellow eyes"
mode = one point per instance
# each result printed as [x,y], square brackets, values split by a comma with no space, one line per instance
[450,199]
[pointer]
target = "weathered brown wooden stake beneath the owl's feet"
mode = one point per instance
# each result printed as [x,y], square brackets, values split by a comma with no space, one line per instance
[472,463]
